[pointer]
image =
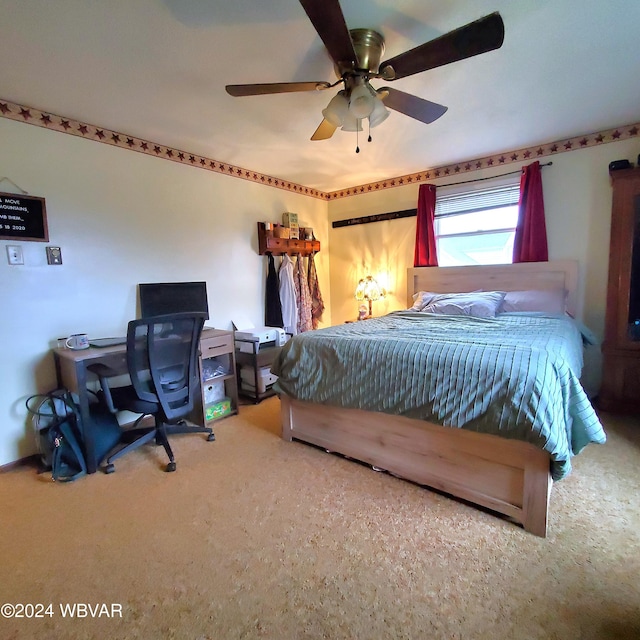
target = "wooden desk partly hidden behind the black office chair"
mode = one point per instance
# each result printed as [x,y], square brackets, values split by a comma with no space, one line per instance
[72,373]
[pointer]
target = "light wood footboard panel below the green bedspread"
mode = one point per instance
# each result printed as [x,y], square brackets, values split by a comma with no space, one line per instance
[507,476]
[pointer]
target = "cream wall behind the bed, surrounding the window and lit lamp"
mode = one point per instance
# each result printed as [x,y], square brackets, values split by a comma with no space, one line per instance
[577,196]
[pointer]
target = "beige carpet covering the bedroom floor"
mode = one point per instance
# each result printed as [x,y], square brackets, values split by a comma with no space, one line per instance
[254,537]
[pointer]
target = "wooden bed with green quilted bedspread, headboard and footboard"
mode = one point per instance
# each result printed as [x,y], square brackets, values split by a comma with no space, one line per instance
[391,391]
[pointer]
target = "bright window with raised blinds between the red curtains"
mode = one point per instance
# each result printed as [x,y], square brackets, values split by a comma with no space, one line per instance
[477,227]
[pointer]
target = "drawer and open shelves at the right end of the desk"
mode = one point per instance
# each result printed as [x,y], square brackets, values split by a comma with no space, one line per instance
[218,381]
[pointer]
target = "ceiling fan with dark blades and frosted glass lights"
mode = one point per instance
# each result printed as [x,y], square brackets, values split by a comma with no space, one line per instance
[356,54]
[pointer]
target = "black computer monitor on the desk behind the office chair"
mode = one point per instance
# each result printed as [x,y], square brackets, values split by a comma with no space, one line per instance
[159,298]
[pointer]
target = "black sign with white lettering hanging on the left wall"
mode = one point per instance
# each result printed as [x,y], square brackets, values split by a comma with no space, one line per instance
[23,218]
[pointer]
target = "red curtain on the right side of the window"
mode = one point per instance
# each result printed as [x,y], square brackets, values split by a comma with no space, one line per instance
[530,244]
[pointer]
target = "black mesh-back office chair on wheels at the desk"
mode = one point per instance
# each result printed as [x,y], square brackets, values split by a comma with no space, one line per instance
[162,362]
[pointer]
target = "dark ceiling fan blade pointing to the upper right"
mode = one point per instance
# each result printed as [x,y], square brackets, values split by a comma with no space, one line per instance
[480,36]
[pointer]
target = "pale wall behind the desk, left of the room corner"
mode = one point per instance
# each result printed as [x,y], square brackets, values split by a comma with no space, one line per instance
[122,218]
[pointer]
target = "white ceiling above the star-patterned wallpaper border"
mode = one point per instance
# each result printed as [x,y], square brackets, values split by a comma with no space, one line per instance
[156,69]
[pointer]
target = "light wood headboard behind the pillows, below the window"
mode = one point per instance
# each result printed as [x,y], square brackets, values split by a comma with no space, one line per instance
[558,274]
